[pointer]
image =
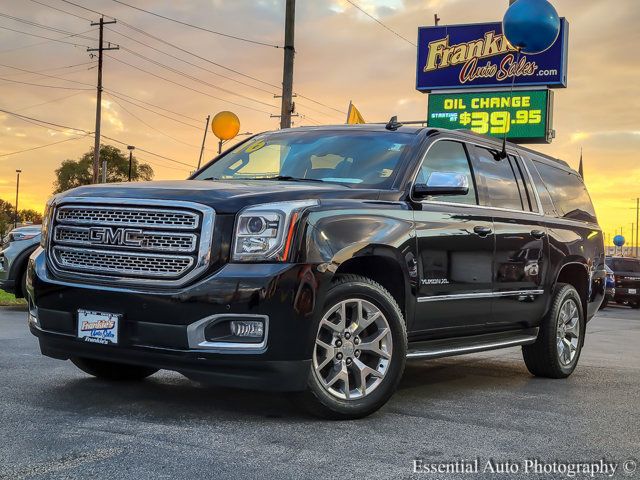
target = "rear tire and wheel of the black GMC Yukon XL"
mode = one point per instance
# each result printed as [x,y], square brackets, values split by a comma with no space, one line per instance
[543,358]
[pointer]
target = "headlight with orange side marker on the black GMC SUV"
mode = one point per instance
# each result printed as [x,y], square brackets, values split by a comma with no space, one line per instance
[264,232]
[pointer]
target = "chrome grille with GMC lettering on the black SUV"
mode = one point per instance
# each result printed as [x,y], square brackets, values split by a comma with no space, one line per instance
[127,243]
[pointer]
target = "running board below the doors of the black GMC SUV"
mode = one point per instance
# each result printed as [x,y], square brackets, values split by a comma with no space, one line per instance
[472,344]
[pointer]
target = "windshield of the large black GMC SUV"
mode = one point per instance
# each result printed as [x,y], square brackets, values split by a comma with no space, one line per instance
[357,159]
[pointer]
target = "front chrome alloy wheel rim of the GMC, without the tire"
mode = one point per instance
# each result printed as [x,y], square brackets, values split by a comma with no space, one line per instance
[353,349]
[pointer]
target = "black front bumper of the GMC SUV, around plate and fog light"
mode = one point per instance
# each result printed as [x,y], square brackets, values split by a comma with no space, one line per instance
[155,324]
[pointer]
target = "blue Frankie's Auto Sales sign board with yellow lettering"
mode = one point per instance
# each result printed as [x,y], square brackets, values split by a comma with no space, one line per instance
[479,56]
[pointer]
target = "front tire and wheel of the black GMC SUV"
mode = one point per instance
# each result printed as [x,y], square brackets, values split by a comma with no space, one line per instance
[355,352]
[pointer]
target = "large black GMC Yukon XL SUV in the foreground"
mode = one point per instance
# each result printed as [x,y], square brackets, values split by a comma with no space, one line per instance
[317,260]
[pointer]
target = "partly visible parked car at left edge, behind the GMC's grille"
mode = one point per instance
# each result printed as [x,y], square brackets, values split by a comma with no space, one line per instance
[15,249]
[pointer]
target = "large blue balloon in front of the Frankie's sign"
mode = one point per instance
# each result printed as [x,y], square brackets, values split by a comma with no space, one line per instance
[531,25]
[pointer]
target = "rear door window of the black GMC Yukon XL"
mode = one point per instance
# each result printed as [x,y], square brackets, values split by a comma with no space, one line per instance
[500,179]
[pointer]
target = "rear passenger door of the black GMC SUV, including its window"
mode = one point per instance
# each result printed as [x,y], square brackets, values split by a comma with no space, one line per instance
[521,243]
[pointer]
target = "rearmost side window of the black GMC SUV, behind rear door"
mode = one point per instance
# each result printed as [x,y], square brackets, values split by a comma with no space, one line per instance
[568,193]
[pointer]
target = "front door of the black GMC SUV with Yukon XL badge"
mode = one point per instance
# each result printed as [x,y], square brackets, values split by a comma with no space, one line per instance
[455,249]
